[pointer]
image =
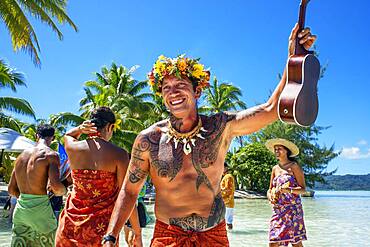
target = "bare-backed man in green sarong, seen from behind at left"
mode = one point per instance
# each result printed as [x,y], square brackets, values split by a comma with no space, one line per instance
[36,170]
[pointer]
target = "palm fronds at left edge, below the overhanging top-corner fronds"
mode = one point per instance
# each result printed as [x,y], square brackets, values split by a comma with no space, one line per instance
[10,78]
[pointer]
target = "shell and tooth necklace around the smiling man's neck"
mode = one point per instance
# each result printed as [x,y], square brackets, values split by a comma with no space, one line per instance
[188,139]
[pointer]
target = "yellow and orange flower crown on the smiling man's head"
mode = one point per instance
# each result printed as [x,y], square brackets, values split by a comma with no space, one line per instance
[179,66]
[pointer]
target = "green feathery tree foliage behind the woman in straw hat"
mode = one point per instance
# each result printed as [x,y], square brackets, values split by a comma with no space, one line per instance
[313,158]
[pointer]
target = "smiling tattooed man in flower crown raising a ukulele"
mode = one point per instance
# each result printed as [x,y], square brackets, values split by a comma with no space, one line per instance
[185,154]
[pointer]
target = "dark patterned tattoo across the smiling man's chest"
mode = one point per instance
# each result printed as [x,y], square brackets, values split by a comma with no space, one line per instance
[168,159]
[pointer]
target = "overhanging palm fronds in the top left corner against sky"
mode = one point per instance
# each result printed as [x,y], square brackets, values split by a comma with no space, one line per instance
[15,15]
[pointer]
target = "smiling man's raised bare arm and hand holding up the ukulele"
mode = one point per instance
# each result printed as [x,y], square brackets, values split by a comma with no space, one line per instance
[257,117]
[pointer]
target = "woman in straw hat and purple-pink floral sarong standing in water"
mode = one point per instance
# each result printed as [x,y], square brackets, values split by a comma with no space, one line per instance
[286,184]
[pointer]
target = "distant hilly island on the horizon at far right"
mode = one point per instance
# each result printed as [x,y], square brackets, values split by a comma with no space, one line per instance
[345,182]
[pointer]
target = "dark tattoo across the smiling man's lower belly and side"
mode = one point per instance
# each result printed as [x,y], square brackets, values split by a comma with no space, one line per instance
[195,222]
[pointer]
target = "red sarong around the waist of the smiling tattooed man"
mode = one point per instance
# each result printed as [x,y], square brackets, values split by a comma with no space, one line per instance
[174,236]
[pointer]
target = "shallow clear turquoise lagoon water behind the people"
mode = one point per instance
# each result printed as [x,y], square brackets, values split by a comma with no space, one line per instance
[333,218]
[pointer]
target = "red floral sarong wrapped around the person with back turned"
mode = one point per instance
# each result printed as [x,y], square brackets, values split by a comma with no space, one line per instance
[85,217]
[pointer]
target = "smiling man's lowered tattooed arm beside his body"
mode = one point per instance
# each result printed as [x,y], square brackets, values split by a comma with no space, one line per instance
[134,180]
